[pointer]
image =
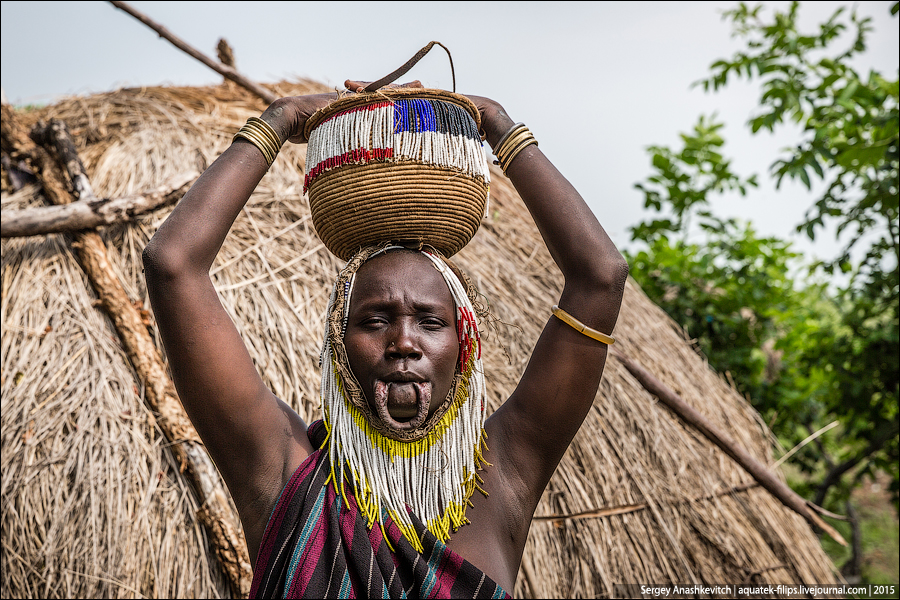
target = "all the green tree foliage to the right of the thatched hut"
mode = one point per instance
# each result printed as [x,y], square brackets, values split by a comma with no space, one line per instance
[805,352]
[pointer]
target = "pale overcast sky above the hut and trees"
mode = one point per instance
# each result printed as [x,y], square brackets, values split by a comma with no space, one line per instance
[597,82]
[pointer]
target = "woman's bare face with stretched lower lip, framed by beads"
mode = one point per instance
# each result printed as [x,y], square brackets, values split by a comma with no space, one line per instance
[401,337]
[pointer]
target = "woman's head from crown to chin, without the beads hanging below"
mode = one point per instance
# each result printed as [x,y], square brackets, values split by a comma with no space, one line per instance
[404,339]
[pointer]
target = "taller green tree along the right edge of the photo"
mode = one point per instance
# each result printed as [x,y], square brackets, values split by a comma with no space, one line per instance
[849,140]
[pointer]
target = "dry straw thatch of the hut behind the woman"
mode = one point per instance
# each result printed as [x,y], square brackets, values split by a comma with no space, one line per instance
[93,504]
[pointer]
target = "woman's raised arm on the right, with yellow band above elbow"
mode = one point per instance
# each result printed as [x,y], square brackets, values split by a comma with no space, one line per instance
[535,426]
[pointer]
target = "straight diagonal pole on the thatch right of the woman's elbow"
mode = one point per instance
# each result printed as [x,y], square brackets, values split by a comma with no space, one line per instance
[757,470]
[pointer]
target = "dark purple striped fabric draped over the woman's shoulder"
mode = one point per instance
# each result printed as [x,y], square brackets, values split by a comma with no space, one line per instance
[318,546]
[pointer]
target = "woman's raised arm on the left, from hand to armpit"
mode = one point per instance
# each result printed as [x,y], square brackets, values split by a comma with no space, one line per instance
[255,439]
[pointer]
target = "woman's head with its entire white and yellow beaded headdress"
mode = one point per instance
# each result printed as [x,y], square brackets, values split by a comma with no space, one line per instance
[403,386]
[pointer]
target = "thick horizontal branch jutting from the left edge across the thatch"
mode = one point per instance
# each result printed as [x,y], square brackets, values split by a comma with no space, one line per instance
[95,212]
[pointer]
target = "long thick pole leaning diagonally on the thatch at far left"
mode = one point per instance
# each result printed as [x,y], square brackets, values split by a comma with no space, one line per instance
[221,522]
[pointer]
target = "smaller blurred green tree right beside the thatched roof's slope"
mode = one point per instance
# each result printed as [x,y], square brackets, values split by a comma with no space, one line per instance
[726,290]
